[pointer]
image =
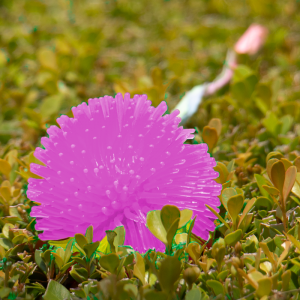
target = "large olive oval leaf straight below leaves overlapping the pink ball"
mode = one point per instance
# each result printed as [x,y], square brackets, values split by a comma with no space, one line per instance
[169,273]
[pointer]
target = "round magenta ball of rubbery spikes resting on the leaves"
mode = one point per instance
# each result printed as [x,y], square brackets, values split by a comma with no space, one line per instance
[111,164]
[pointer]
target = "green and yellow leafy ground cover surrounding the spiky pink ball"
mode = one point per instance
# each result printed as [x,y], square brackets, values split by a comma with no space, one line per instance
[57,54]
